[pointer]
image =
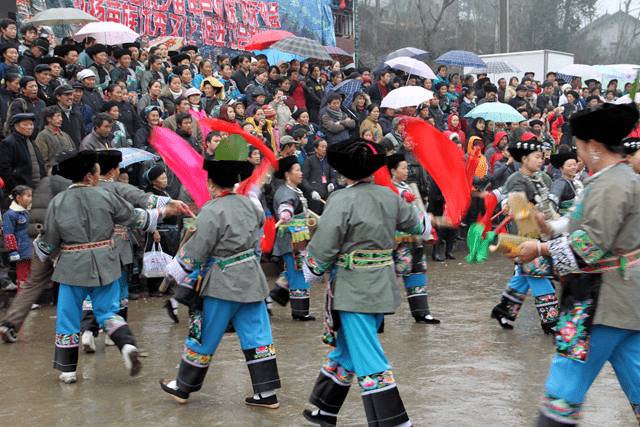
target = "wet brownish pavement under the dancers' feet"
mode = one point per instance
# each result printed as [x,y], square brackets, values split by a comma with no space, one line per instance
[465,372]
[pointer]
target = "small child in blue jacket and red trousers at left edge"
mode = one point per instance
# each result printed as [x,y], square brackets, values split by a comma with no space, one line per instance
[16,239]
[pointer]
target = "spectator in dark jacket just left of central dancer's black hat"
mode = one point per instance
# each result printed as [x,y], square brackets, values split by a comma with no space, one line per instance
[318,178]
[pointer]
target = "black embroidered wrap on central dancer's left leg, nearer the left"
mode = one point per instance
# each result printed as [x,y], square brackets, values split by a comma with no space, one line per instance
[332,387]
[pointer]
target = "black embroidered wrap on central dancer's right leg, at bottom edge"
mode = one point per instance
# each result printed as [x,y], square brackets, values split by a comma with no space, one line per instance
[381,399]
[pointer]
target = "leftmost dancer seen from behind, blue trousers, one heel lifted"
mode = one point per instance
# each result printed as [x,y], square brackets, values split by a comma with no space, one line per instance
[81,222]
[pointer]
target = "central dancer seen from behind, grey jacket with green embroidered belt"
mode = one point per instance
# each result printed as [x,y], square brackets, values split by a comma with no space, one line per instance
[355,239]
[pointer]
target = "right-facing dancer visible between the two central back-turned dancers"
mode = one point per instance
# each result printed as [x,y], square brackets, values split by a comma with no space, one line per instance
[292,238]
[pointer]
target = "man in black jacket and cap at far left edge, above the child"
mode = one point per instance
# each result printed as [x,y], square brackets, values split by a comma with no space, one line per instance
[20,159]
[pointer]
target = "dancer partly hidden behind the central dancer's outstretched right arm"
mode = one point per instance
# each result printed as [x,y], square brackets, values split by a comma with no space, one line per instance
[409,255]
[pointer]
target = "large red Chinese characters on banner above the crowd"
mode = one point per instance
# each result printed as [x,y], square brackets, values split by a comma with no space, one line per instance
[216,23]
